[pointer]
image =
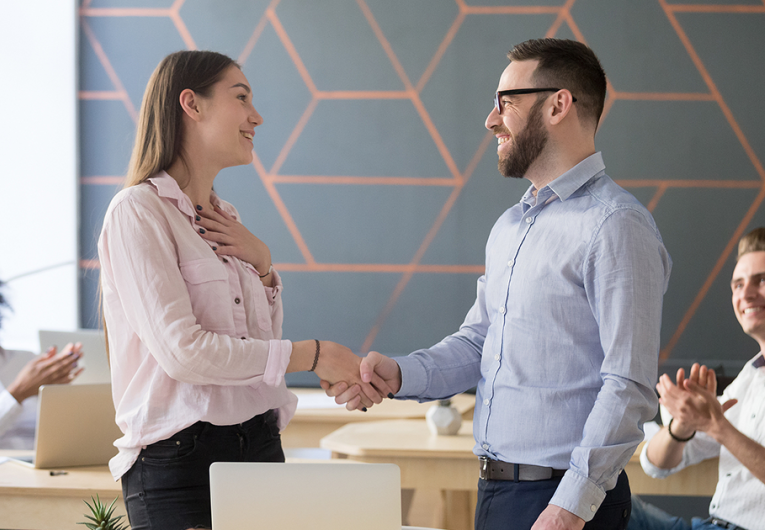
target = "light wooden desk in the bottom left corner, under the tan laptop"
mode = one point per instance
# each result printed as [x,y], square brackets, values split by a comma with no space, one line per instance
[34,500]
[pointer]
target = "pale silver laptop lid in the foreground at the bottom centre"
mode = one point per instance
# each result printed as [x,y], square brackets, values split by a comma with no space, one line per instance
[321,496]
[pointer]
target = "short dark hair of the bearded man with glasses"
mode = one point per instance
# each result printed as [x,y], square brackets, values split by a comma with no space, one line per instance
[567,64]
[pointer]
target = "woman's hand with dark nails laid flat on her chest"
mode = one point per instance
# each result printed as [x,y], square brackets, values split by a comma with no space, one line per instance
[231,238]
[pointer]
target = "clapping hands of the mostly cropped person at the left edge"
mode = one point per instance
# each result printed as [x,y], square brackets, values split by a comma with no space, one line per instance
[47,369]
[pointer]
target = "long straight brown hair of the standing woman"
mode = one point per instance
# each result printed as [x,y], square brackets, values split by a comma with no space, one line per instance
[158,139]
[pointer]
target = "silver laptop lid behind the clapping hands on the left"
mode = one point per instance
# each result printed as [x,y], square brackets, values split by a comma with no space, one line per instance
[95,359]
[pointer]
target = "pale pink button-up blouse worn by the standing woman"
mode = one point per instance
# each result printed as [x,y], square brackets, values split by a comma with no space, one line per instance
[192,336]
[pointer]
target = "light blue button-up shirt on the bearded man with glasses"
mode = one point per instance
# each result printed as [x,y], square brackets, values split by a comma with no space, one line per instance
[563,338]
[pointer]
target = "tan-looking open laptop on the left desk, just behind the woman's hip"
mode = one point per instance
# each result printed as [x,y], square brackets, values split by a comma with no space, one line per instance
[75,426]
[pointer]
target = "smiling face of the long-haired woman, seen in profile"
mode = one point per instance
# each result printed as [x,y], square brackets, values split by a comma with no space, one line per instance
[230,120]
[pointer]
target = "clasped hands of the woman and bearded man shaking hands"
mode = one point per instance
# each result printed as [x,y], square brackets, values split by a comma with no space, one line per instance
[357,382]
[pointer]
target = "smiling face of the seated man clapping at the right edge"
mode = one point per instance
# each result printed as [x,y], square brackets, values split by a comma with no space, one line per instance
[748,286]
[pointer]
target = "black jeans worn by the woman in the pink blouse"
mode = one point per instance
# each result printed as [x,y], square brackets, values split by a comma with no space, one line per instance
[168,488]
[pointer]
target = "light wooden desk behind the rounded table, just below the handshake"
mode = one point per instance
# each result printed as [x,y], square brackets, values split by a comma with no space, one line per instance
[310,425]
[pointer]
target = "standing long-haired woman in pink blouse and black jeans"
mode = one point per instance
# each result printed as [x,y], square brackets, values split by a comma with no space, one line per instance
[192,303]
